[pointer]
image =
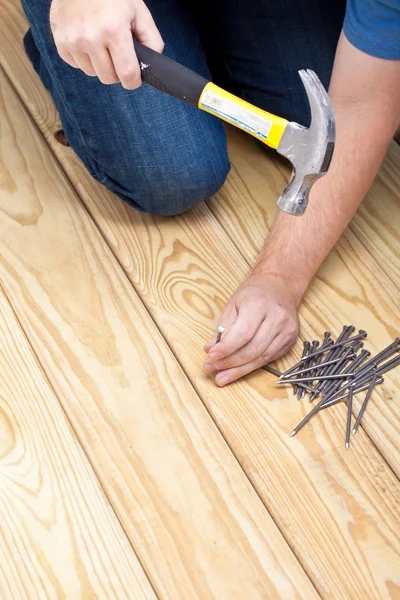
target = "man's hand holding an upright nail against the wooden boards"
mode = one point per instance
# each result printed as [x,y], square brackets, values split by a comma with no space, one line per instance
[261,325]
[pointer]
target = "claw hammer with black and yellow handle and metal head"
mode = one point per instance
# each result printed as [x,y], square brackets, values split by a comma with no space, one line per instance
[308,149]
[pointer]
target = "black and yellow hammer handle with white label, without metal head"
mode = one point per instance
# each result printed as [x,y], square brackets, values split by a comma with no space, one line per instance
[174,79]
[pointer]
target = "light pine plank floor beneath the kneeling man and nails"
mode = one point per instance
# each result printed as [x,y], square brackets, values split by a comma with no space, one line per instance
[124,471]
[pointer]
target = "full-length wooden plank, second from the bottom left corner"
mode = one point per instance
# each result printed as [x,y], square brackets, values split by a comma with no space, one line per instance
[197,524]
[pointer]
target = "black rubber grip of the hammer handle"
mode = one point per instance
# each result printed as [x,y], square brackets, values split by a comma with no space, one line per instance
[169,76]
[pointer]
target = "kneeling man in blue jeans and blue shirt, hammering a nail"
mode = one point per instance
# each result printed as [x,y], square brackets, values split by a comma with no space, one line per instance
[163,156]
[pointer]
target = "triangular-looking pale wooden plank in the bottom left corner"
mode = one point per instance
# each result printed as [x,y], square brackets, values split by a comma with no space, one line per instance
[59,537]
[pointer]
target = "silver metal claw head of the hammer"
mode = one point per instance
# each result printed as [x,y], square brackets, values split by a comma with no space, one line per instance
[309,150]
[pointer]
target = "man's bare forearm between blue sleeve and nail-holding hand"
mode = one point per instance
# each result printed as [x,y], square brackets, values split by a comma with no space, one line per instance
[364,92]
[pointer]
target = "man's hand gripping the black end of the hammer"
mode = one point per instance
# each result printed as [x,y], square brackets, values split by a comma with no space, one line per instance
[96,37]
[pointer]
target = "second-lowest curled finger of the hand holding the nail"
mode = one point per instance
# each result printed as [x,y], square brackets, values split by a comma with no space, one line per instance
[257,346]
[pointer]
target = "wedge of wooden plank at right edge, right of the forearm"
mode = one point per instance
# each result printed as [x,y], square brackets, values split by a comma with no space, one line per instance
[377,222]
